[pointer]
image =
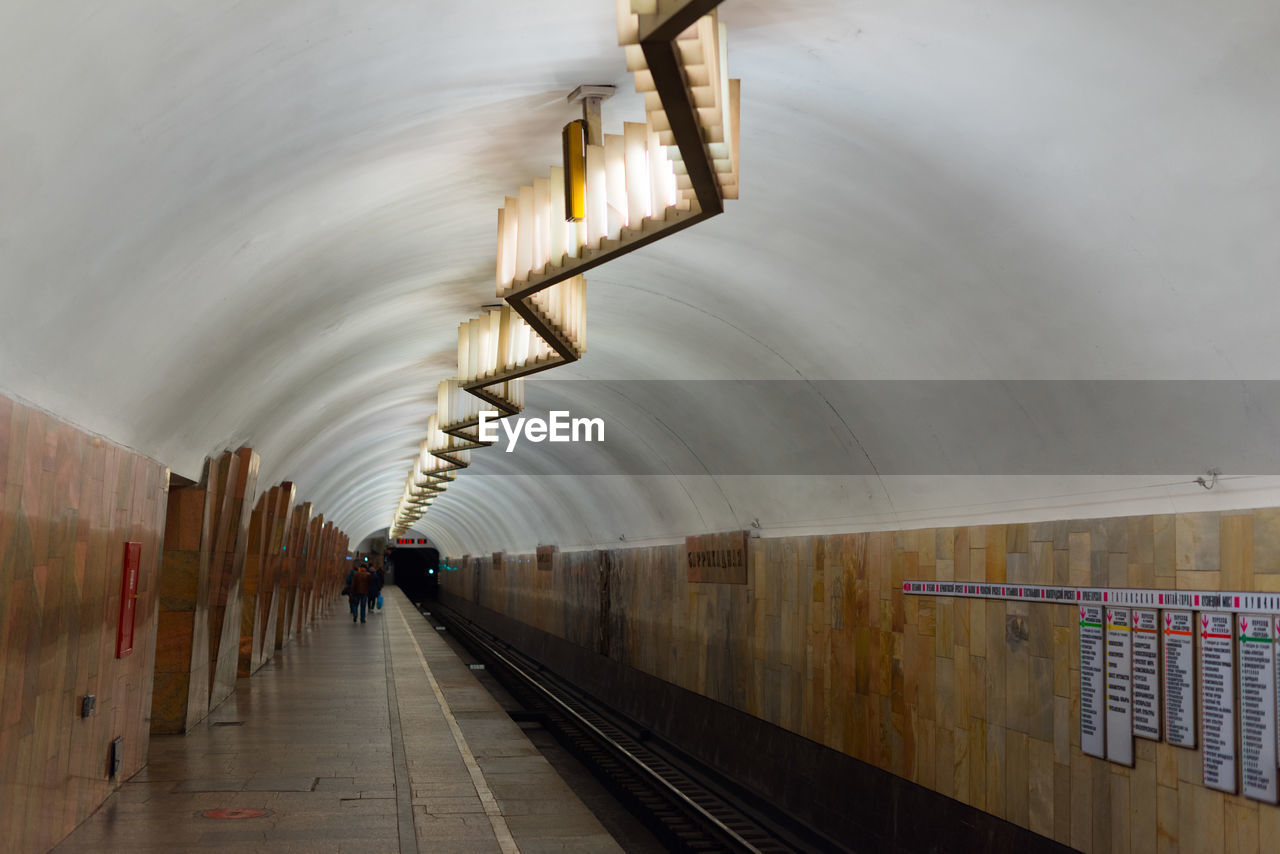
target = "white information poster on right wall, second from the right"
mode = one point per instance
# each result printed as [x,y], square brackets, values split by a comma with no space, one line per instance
[1218,700]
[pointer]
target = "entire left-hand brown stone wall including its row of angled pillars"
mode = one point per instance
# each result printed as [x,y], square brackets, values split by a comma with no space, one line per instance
[68,504]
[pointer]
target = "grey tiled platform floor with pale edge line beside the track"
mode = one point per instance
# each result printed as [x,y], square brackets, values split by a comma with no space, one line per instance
[345,739]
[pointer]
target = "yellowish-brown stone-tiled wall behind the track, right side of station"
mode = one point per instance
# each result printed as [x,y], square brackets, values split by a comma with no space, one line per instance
[977,701]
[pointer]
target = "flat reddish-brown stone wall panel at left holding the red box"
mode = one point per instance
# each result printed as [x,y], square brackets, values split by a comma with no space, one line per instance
[68,504]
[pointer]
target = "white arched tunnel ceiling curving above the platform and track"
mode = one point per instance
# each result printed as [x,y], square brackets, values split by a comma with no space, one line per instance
[260,225]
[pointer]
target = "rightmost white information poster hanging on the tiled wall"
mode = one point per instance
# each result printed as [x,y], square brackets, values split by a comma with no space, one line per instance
[1258,707]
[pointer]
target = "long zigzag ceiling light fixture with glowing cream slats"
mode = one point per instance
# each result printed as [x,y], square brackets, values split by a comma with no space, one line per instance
[612,195]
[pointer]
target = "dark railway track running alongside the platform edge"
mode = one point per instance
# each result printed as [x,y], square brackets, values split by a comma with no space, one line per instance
[682,807]
